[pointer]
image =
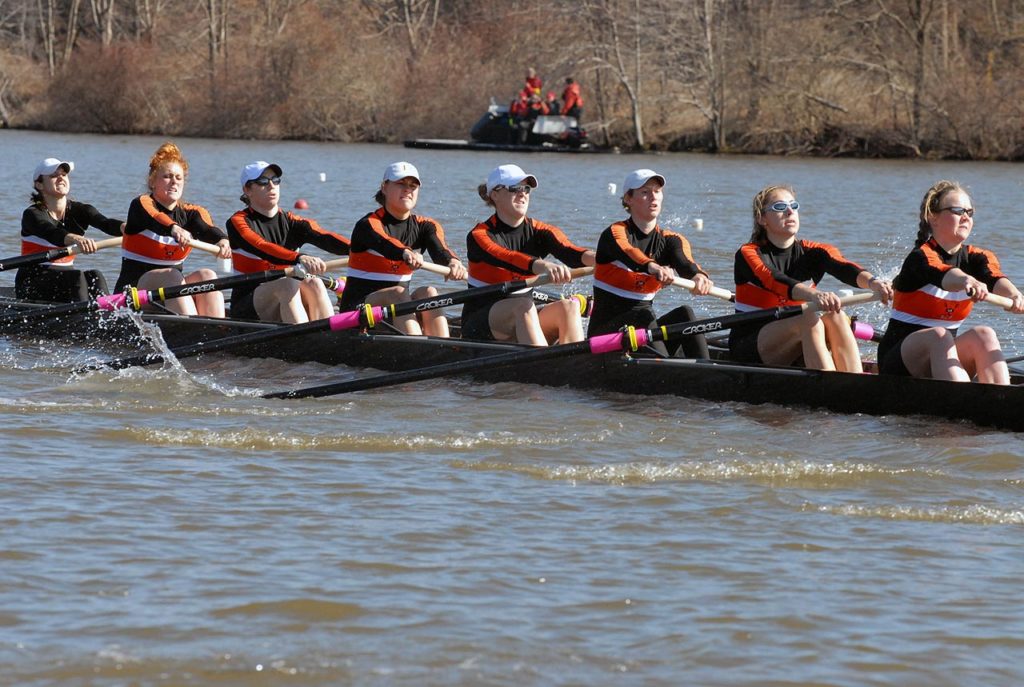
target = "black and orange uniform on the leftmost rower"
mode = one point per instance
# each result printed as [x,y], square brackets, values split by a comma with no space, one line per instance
[59,281]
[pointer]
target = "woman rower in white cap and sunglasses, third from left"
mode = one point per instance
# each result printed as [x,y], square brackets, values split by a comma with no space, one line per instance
[265,238]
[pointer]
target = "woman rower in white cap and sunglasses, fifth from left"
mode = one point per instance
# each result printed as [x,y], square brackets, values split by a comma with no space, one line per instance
[510,246]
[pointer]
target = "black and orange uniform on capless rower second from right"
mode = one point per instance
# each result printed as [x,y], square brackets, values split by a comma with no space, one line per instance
[765,276]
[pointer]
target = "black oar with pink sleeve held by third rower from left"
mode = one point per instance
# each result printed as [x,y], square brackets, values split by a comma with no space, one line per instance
[137,299]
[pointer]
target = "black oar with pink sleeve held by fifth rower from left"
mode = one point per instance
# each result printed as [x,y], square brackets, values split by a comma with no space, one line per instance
[366,316]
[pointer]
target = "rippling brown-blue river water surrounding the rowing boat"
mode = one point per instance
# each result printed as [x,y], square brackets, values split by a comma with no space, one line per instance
[167,527]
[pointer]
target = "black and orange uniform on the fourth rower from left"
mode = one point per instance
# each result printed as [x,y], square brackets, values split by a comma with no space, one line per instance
[378,242]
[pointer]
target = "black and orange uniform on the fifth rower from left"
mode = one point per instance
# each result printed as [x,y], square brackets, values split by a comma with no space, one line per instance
[499,253]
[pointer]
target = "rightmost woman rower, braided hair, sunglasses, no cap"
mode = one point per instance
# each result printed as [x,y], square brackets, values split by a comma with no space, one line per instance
[936,289]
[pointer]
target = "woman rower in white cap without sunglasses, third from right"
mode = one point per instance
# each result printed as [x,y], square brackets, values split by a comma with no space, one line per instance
[635,259]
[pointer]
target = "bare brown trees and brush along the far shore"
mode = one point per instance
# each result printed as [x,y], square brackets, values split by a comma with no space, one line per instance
[869,78]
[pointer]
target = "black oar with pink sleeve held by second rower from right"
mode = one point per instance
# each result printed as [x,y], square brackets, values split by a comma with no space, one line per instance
[632,340]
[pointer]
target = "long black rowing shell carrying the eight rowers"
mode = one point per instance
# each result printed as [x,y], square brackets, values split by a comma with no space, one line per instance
[712,380]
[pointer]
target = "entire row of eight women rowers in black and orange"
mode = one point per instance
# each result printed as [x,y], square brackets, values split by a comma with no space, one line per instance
[933,294]
